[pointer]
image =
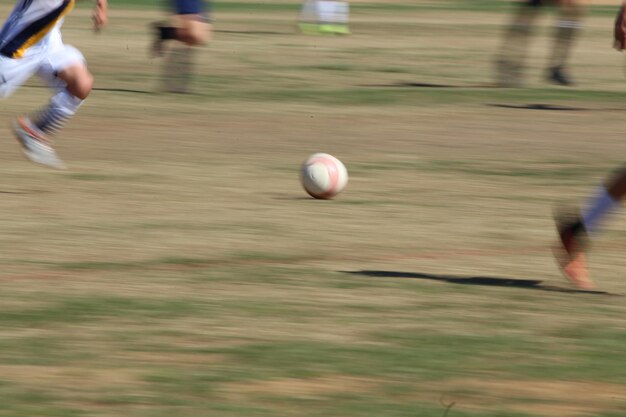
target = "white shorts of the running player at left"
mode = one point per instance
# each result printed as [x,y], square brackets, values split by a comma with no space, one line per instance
[45,62]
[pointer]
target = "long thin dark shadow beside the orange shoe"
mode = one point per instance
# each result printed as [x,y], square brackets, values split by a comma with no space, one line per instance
[483,281]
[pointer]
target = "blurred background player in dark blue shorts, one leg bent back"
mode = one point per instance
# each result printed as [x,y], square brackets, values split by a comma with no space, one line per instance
[189,27]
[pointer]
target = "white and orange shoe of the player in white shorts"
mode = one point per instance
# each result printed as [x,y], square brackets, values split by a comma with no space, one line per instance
[35,145]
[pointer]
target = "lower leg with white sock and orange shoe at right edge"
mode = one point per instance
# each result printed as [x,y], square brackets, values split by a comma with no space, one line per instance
[573,230]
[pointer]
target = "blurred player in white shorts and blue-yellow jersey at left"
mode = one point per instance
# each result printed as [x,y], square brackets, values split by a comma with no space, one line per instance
[31,43]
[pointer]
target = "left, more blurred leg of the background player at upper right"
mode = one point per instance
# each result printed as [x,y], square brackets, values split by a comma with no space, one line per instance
[515,43]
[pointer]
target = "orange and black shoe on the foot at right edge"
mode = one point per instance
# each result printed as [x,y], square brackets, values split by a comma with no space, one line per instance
[570,252]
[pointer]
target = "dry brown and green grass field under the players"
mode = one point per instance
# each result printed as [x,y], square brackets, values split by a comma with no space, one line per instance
[178,269]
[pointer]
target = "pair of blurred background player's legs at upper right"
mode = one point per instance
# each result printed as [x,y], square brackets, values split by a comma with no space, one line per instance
[511,59]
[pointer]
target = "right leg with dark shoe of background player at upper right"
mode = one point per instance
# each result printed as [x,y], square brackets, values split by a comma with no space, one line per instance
[568,26]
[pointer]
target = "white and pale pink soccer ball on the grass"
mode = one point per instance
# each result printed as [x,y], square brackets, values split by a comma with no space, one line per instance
[323,176]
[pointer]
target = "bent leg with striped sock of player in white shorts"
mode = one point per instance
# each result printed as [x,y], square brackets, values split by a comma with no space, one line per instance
[64,69]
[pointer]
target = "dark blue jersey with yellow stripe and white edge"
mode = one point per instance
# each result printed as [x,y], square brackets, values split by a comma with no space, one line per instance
[29,22]
